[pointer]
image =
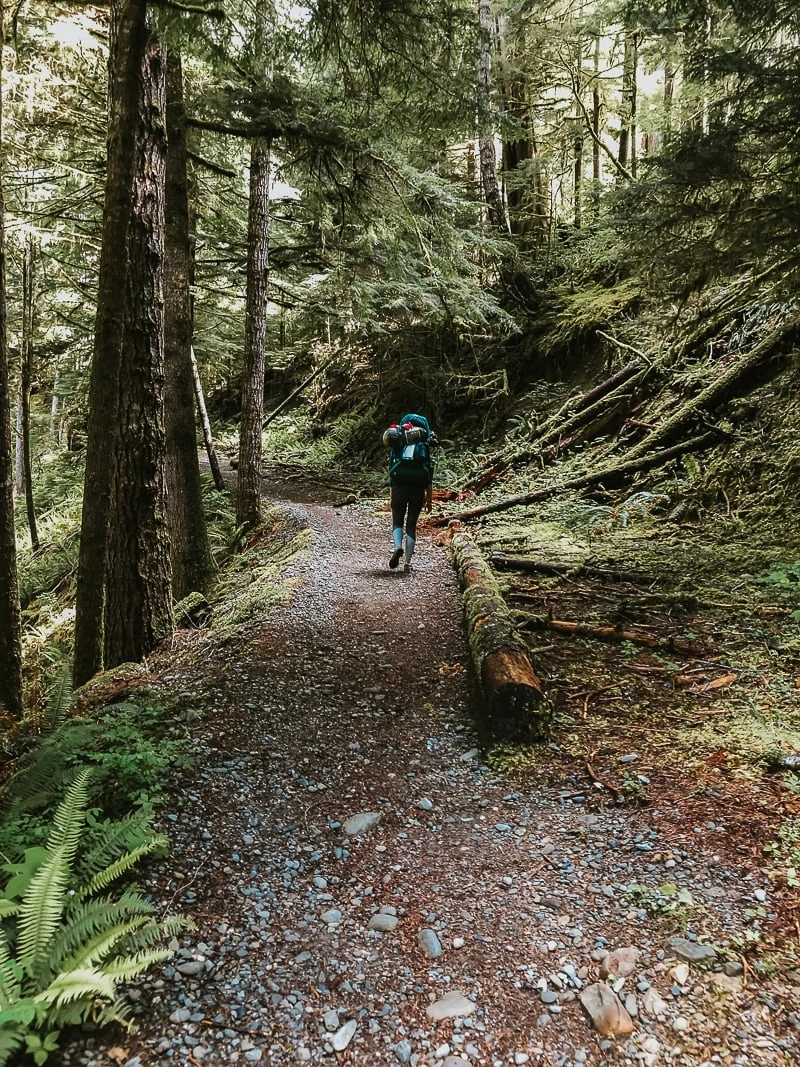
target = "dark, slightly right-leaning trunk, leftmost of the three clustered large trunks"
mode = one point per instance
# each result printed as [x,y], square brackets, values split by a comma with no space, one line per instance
[129,44]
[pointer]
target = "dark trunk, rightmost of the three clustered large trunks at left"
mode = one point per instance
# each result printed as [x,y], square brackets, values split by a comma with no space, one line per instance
[193,564]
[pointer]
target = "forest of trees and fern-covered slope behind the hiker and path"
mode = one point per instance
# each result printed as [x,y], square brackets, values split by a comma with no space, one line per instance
[470,209]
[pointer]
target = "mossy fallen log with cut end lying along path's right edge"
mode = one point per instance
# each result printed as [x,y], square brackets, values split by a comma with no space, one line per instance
[515,707]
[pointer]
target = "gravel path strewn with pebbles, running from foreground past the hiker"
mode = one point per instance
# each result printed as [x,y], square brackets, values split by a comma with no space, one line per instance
[370,891]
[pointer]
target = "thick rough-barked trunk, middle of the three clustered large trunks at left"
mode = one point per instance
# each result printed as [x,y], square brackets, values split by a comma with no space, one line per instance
[138,596]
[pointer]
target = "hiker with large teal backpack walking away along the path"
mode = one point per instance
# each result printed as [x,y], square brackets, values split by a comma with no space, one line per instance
[411,482]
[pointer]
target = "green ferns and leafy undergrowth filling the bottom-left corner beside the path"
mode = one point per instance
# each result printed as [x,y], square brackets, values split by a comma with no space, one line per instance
[77,823]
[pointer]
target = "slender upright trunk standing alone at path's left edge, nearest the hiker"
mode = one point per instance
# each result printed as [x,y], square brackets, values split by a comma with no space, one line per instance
[249,497]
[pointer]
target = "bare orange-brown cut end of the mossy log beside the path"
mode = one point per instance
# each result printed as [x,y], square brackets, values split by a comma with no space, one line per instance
[516,707]
